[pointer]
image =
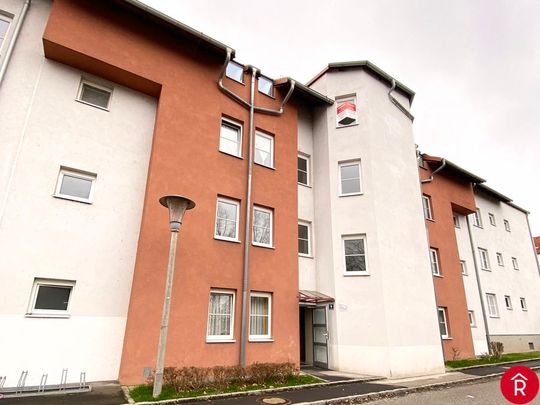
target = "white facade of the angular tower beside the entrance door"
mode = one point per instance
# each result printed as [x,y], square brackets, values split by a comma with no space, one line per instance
[384,321]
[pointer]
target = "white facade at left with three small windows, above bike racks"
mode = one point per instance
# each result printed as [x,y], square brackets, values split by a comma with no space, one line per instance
[92,246]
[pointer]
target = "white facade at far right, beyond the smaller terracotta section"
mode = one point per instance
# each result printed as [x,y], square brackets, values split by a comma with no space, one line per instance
[514,275]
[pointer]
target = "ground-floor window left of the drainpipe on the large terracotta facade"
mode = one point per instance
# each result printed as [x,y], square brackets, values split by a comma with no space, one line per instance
[220,315]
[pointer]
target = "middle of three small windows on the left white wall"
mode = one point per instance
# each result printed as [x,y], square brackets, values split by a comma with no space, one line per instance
[75,185]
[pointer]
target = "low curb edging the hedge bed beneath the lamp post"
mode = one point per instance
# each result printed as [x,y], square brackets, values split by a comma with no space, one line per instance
[240,394]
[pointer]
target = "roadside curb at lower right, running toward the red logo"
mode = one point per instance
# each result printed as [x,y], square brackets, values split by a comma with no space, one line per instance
[400,392]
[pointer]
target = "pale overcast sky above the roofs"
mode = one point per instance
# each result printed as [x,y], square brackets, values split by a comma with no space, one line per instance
[474,65]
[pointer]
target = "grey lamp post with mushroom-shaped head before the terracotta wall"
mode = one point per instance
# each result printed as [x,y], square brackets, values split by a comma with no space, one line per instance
[177,206]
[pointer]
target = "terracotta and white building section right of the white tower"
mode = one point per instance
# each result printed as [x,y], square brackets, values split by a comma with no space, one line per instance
[483,262]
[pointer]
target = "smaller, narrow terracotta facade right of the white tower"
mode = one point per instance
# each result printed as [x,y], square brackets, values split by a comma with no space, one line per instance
[449,191]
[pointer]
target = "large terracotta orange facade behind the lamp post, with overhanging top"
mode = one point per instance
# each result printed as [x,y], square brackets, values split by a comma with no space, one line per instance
[113,41]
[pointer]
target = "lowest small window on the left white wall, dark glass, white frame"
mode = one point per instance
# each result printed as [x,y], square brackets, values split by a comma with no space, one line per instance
[50,297]
